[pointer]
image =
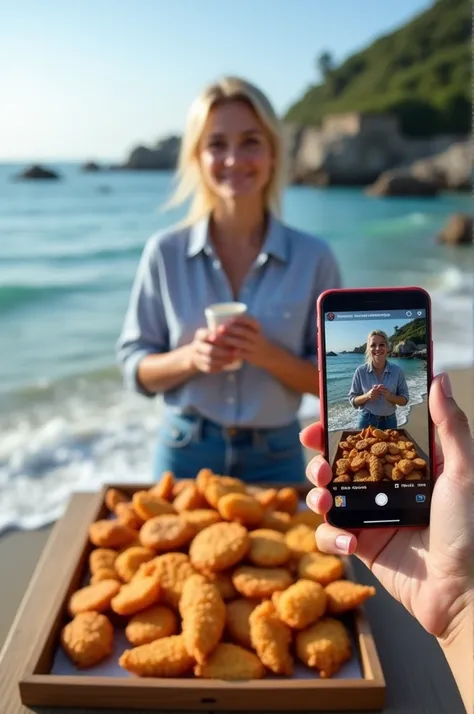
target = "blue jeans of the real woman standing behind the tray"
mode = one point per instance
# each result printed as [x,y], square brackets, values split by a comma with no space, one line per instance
[187,444]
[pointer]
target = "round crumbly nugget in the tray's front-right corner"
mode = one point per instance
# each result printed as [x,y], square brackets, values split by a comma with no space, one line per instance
[324,646]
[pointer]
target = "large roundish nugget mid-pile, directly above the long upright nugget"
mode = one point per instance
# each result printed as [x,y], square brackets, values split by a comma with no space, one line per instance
[219,547]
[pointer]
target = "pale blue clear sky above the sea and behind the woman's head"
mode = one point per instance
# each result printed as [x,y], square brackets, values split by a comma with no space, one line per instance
[91,79]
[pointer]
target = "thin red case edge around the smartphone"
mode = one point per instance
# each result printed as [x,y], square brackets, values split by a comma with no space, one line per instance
[322,410]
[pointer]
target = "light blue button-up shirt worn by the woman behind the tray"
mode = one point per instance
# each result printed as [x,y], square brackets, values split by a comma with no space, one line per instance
[179,275]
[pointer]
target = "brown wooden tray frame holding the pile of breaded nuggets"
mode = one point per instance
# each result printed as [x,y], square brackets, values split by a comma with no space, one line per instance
[38,687]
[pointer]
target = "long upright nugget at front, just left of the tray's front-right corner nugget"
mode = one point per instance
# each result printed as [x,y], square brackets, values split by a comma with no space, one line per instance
[271,638]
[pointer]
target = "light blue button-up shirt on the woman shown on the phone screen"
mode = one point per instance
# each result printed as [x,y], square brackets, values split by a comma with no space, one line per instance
[393,379]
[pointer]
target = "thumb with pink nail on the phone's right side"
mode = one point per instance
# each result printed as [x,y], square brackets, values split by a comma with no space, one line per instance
[453,428]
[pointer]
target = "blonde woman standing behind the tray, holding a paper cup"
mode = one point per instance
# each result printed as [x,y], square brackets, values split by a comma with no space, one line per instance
[232,246]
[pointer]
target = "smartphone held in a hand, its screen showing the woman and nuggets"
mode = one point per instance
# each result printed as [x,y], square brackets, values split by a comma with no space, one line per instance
[375,366]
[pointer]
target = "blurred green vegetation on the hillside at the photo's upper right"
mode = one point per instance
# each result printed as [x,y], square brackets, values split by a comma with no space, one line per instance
[421,73]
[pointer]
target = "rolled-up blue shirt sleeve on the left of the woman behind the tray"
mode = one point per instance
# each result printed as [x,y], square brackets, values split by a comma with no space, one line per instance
[145,329]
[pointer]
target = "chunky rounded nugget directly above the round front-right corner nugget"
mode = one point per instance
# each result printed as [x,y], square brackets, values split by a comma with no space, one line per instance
[301,604]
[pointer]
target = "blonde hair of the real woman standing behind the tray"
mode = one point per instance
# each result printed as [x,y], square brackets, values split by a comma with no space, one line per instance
[189,183]
